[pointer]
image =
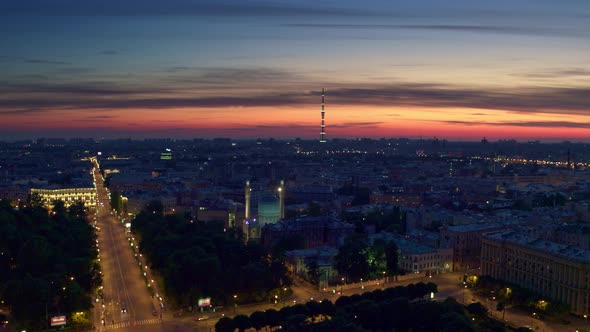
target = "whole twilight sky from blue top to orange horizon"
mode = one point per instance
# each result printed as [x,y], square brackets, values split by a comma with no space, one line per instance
[454,69]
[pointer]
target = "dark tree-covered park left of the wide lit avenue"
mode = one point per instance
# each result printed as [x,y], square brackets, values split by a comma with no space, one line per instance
[48,261]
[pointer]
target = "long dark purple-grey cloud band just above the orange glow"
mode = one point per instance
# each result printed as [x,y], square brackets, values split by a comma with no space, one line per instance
[194,87]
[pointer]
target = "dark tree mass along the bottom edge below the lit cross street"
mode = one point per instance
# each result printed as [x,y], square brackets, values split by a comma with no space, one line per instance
[398,309]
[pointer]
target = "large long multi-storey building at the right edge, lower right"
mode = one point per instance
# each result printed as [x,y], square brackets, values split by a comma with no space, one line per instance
[557,271]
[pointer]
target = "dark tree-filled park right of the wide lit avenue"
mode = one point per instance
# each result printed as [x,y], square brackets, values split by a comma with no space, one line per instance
[203,259]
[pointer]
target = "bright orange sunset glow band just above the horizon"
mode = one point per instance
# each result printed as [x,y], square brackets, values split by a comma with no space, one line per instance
[341,121]
